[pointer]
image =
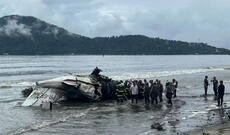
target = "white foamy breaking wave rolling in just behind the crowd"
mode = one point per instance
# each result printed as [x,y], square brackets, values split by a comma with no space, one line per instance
[126,76]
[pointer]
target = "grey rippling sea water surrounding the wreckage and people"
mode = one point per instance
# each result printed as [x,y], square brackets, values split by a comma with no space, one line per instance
[189,112]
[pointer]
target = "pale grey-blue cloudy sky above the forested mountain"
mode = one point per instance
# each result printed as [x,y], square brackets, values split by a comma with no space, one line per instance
[188,20]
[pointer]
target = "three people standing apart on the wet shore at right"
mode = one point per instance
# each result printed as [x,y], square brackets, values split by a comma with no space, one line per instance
[218,89]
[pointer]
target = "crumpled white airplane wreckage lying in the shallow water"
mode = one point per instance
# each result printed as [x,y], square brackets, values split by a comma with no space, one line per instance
[93,87]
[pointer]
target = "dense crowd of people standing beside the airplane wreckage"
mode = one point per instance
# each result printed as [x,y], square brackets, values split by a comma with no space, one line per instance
[151,91]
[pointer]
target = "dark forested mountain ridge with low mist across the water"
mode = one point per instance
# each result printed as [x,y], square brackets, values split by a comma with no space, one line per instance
[27,35]
